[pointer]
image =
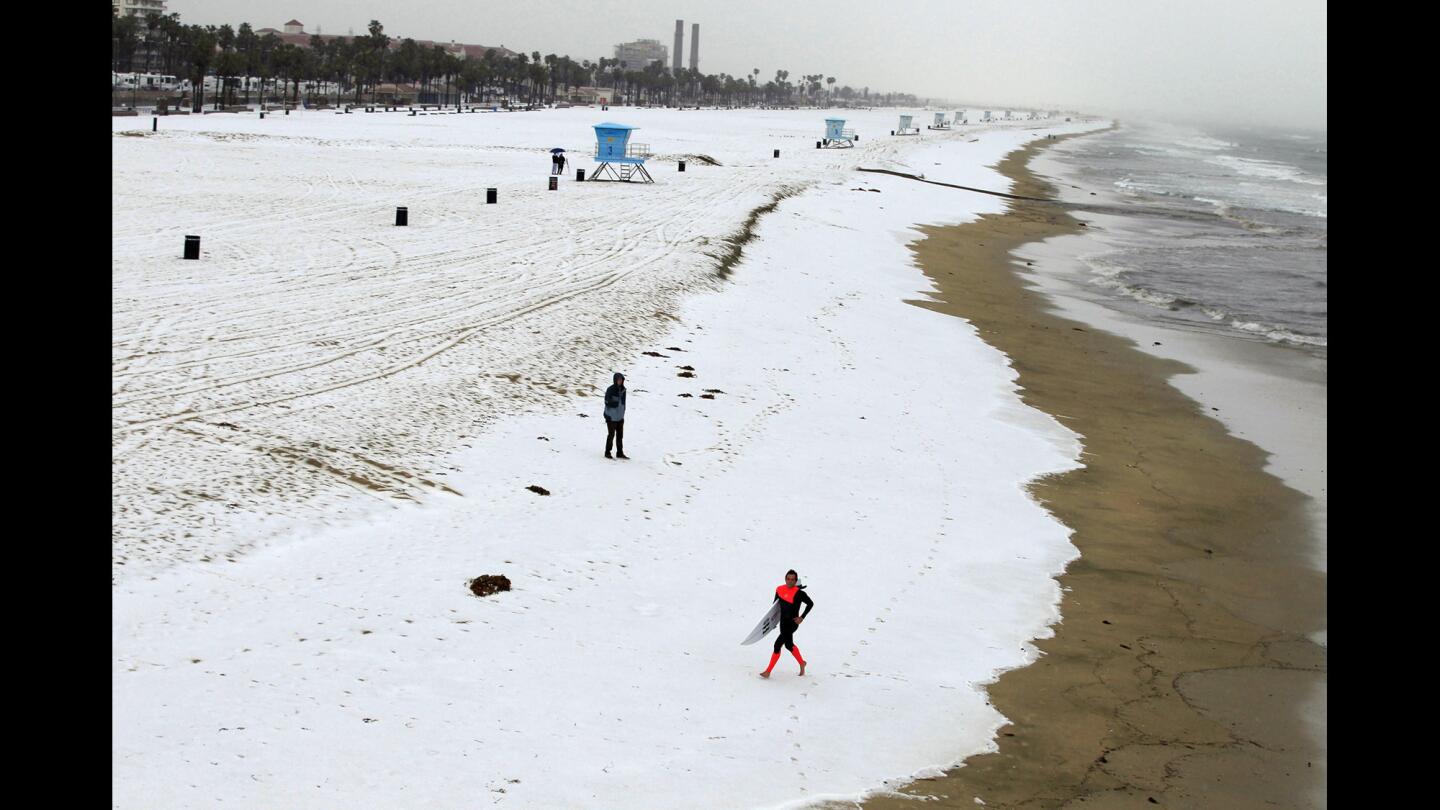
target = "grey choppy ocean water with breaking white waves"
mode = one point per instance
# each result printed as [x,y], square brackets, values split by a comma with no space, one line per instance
[1223,230]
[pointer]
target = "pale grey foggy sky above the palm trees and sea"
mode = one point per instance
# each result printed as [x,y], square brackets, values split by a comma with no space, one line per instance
[1255,63]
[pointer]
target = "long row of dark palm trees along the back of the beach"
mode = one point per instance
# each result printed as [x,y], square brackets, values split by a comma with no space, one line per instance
[358,67]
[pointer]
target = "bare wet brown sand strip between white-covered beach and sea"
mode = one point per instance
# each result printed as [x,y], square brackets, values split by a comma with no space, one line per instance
[1182,668]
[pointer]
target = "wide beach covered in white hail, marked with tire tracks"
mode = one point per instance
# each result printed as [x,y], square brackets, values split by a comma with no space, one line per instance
[329,424]
